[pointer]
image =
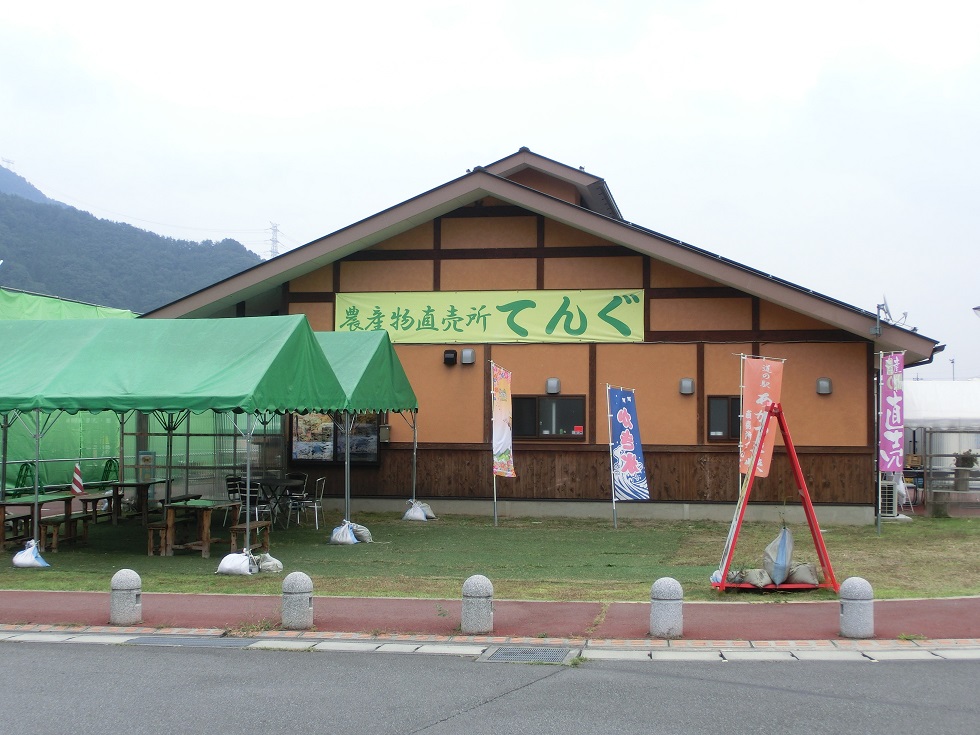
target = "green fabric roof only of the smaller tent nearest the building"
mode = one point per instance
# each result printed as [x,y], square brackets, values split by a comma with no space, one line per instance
[369,370]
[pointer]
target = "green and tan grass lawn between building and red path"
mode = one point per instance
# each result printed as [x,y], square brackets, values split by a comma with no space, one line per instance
[529,559]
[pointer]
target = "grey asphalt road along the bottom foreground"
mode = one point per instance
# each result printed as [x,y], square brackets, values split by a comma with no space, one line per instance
[89,689]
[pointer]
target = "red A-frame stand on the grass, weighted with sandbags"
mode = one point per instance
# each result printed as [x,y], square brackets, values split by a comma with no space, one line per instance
[775,409]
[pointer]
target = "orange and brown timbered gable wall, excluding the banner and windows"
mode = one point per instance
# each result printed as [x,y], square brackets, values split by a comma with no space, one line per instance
[696,328]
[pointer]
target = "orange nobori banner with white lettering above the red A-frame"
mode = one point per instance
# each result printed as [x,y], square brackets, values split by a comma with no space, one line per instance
[762,381]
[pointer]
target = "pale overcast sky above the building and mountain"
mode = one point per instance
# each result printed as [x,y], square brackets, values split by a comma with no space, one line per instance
[831,144]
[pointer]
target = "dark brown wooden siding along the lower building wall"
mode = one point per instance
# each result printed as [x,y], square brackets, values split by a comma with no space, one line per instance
[839,476]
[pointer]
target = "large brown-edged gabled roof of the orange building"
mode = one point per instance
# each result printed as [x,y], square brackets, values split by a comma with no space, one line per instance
[261,286]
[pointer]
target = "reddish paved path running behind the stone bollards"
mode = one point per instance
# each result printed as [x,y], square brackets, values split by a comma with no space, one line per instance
[946,618]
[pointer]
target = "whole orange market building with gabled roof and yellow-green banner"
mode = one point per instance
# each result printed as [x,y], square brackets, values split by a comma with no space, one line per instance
[528,263]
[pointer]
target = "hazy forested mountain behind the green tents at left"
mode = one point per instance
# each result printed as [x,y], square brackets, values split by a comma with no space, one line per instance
[50,248]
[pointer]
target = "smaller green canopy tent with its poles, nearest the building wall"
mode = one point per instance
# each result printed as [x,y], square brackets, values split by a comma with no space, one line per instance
[373,379]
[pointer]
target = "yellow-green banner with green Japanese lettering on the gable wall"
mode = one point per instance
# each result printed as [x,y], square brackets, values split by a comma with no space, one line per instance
[423,317]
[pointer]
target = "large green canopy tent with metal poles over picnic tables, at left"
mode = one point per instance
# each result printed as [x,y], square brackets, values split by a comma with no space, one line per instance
[251,367]
